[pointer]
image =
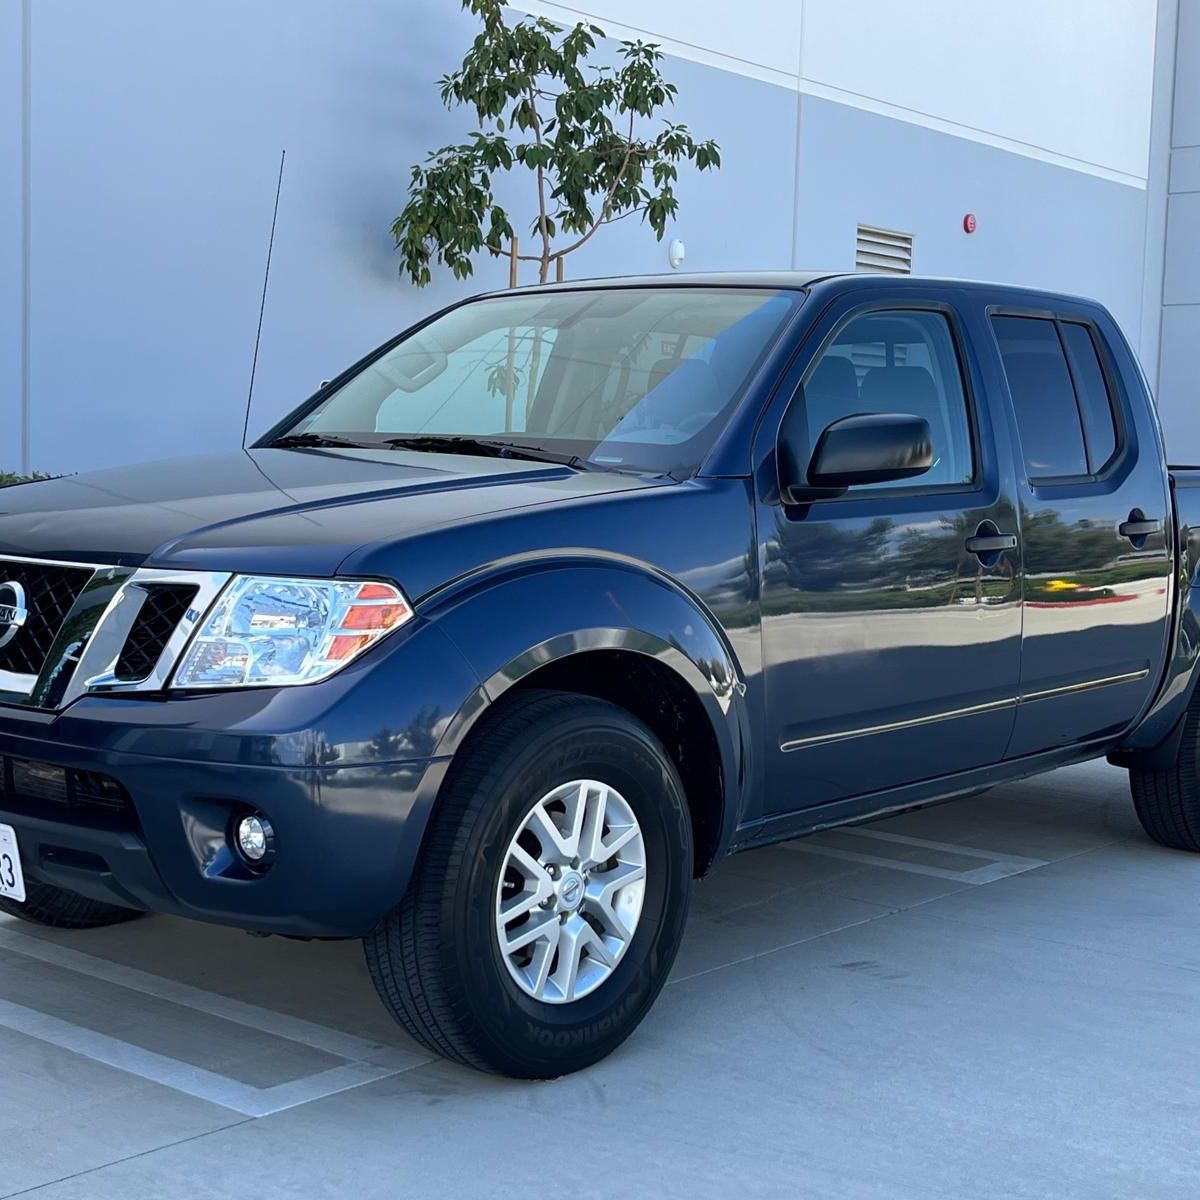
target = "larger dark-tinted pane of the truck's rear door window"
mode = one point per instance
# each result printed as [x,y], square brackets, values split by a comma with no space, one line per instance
[1043,398]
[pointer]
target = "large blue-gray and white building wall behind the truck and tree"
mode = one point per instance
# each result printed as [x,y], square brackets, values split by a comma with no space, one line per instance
[157,133]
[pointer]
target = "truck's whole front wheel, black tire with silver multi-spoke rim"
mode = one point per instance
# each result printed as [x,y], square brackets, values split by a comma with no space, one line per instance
[551,895]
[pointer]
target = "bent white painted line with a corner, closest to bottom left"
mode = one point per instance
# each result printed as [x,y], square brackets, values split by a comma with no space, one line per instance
[205,1085]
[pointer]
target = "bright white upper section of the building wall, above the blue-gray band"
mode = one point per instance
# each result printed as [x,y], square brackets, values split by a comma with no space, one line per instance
[1055,79]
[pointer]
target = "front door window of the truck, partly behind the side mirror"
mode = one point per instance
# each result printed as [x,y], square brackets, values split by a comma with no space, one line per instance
[897,362]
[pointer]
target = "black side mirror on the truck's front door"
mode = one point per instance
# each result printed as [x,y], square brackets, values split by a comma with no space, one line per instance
[869,448]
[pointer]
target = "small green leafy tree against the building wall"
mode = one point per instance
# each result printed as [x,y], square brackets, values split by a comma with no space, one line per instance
[587,135]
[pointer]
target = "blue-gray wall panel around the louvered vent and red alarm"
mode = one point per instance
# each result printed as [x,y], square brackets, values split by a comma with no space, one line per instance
[1039,224]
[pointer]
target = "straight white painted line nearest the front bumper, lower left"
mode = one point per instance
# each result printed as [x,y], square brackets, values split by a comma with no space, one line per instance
[291,1029]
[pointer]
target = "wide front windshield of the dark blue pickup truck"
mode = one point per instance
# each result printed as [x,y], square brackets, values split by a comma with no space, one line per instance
[621,379]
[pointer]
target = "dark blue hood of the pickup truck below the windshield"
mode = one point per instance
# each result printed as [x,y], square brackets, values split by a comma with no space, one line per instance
[274,512]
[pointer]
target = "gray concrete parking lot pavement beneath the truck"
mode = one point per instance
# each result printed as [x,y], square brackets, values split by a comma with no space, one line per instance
[998,998]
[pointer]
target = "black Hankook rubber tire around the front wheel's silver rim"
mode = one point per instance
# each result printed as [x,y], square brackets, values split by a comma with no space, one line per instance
[437,961]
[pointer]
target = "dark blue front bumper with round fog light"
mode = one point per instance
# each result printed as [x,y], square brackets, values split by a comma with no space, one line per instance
[346,836]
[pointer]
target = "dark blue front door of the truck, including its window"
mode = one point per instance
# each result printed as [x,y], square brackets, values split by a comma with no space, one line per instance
[891,650]
